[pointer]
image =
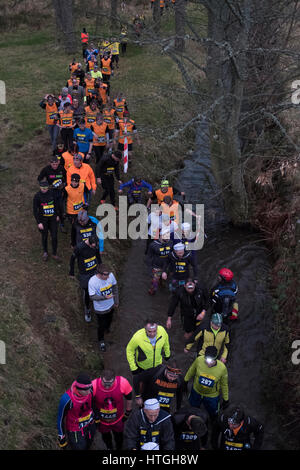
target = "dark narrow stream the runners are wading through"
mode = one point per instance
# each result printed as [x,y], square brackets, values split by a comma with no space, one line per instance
[240,250]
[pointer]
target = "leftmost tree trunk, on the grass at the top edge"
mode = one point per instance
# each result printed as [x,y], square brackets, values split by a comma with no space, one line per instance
[64,24]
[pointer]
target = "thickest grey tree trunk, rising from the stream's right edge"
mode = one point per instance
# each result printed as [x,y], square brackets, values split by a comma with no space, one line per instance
[226,73]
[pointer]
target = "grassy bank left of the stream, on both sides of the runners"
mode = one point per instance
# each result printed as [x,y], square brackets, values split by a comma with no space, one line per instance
[47,340]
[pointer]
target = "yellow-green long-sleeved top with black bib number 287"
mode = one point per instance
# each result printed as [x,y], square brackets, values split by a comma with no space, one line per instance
[208,381]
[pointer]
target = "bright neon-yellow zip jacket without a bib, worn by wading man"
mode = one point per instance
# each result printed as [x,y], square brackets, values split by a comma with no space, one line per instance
[141,353]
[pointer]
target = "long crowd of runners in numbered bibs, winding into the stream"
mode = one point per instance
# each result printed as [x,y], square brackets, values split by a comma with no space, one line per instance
[92,134]
